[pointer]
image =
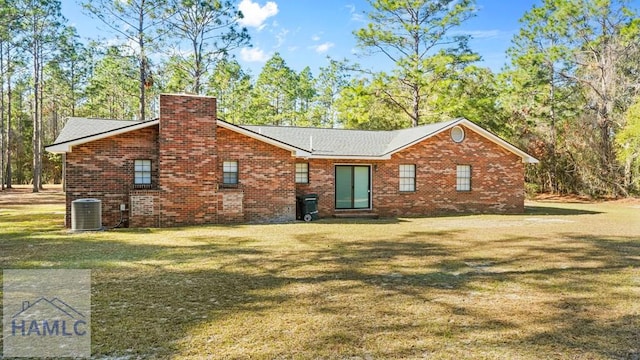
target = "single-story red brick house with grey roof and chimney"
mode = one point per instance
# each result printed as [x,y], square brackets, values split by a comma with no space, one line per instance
[188,167]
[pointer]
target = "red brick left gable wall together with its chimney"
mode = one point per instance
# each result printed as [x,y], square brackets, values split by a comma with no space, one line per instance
[187,172]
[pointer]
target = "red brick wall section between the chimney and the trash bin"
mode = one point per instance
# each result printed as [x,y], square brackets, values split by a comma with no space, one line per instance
[266,176]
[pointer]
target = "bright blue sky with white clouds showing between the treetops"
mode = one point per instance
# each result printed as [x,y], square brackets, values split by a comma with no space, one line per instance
[305,32]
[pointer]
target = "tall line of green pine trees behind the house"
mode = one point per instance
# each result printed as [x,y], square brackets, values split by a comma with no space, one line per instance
[569,94]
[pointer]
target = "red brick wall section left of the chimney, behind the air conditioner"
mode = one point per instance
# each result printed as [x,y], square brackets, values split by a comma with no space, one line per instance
[104,170]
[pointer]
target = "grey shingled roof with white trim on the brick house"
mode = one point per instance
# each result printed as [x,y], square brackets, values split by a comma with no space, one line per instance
[304,142]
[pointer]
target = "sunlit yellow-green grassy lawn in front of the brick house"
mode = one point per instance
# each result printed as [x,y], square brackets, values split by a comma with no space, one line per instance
[561,281]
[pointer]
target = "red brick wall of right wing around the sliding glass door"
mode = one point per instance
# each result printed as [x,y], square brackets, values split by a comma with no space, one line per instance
[497,179]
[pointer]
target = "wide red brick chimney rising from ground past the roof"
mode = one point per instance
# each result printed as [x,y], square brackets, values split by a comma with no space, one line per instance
[187,168]
